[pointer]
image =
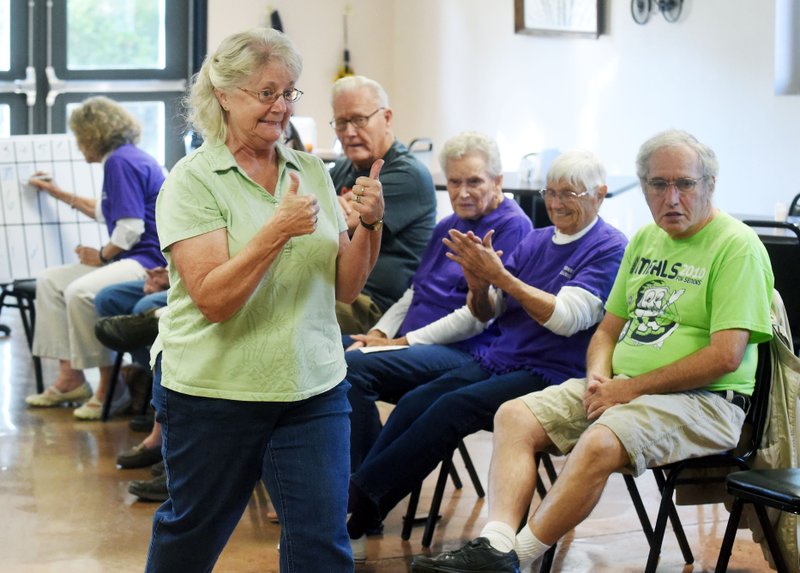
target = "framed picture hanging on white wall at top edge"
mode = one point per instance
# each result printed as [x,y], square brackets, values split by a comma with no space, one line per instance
[575,18]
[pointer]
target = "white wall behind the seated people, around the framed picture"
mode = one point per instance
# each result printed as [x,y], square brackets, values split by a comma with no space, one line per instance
[451,65]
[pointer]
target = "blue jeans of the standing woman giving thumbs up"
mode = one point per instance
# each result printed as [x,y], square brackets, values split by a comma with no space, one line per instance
[215,451]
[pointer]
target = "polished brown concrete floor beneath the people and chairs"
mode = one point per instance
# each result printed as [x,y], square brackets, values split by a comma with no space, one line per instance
[65,508]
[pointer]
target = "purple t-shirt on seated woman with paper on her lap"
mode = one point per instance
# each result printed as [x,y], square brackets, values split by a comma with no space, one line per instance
[439,283]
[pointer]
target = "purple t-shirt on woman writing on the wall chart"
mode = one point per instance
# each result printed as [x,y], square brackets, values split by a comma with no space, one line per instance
[131,182]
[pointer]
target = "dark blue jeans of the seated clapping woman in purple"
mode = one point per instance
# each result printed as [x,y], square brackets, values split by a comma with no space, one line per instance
[425,426]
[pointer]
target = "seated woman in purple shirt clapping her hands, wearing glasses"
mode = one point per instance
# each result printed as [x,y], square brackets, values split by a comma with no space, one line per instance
[546,301]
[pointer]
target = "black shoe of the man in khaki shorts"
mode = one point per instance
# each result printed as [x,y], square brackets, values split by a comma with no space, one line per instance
[477,555]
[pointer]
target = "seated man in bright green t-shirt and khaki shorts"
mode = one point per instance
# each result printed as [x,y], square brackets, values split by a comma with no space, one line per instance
[669,370]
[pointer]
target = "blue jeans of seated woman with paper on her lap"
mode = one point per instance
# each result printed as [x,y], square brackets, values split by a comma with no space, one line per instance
[389,376]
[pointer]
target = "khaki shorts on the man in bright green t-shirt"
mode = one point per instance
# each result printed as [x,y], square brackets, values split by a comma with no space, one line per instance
[654,430]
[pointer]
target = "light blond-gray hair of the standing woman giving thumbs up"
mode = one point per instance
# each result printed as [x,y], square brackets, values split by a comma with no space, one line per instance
[237,58]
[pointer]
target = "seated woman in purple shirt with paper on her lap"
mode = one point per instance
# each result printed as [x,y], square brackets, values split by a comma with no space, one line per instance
[430,327]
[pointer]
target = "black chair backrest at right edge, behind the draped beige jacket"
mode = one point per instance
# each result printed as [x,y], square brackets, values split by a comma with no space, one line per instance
[784,254]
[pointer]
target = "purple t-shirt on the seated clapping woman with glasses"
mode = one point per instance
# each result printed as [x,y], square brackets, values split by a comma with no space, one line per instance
[590,263]
